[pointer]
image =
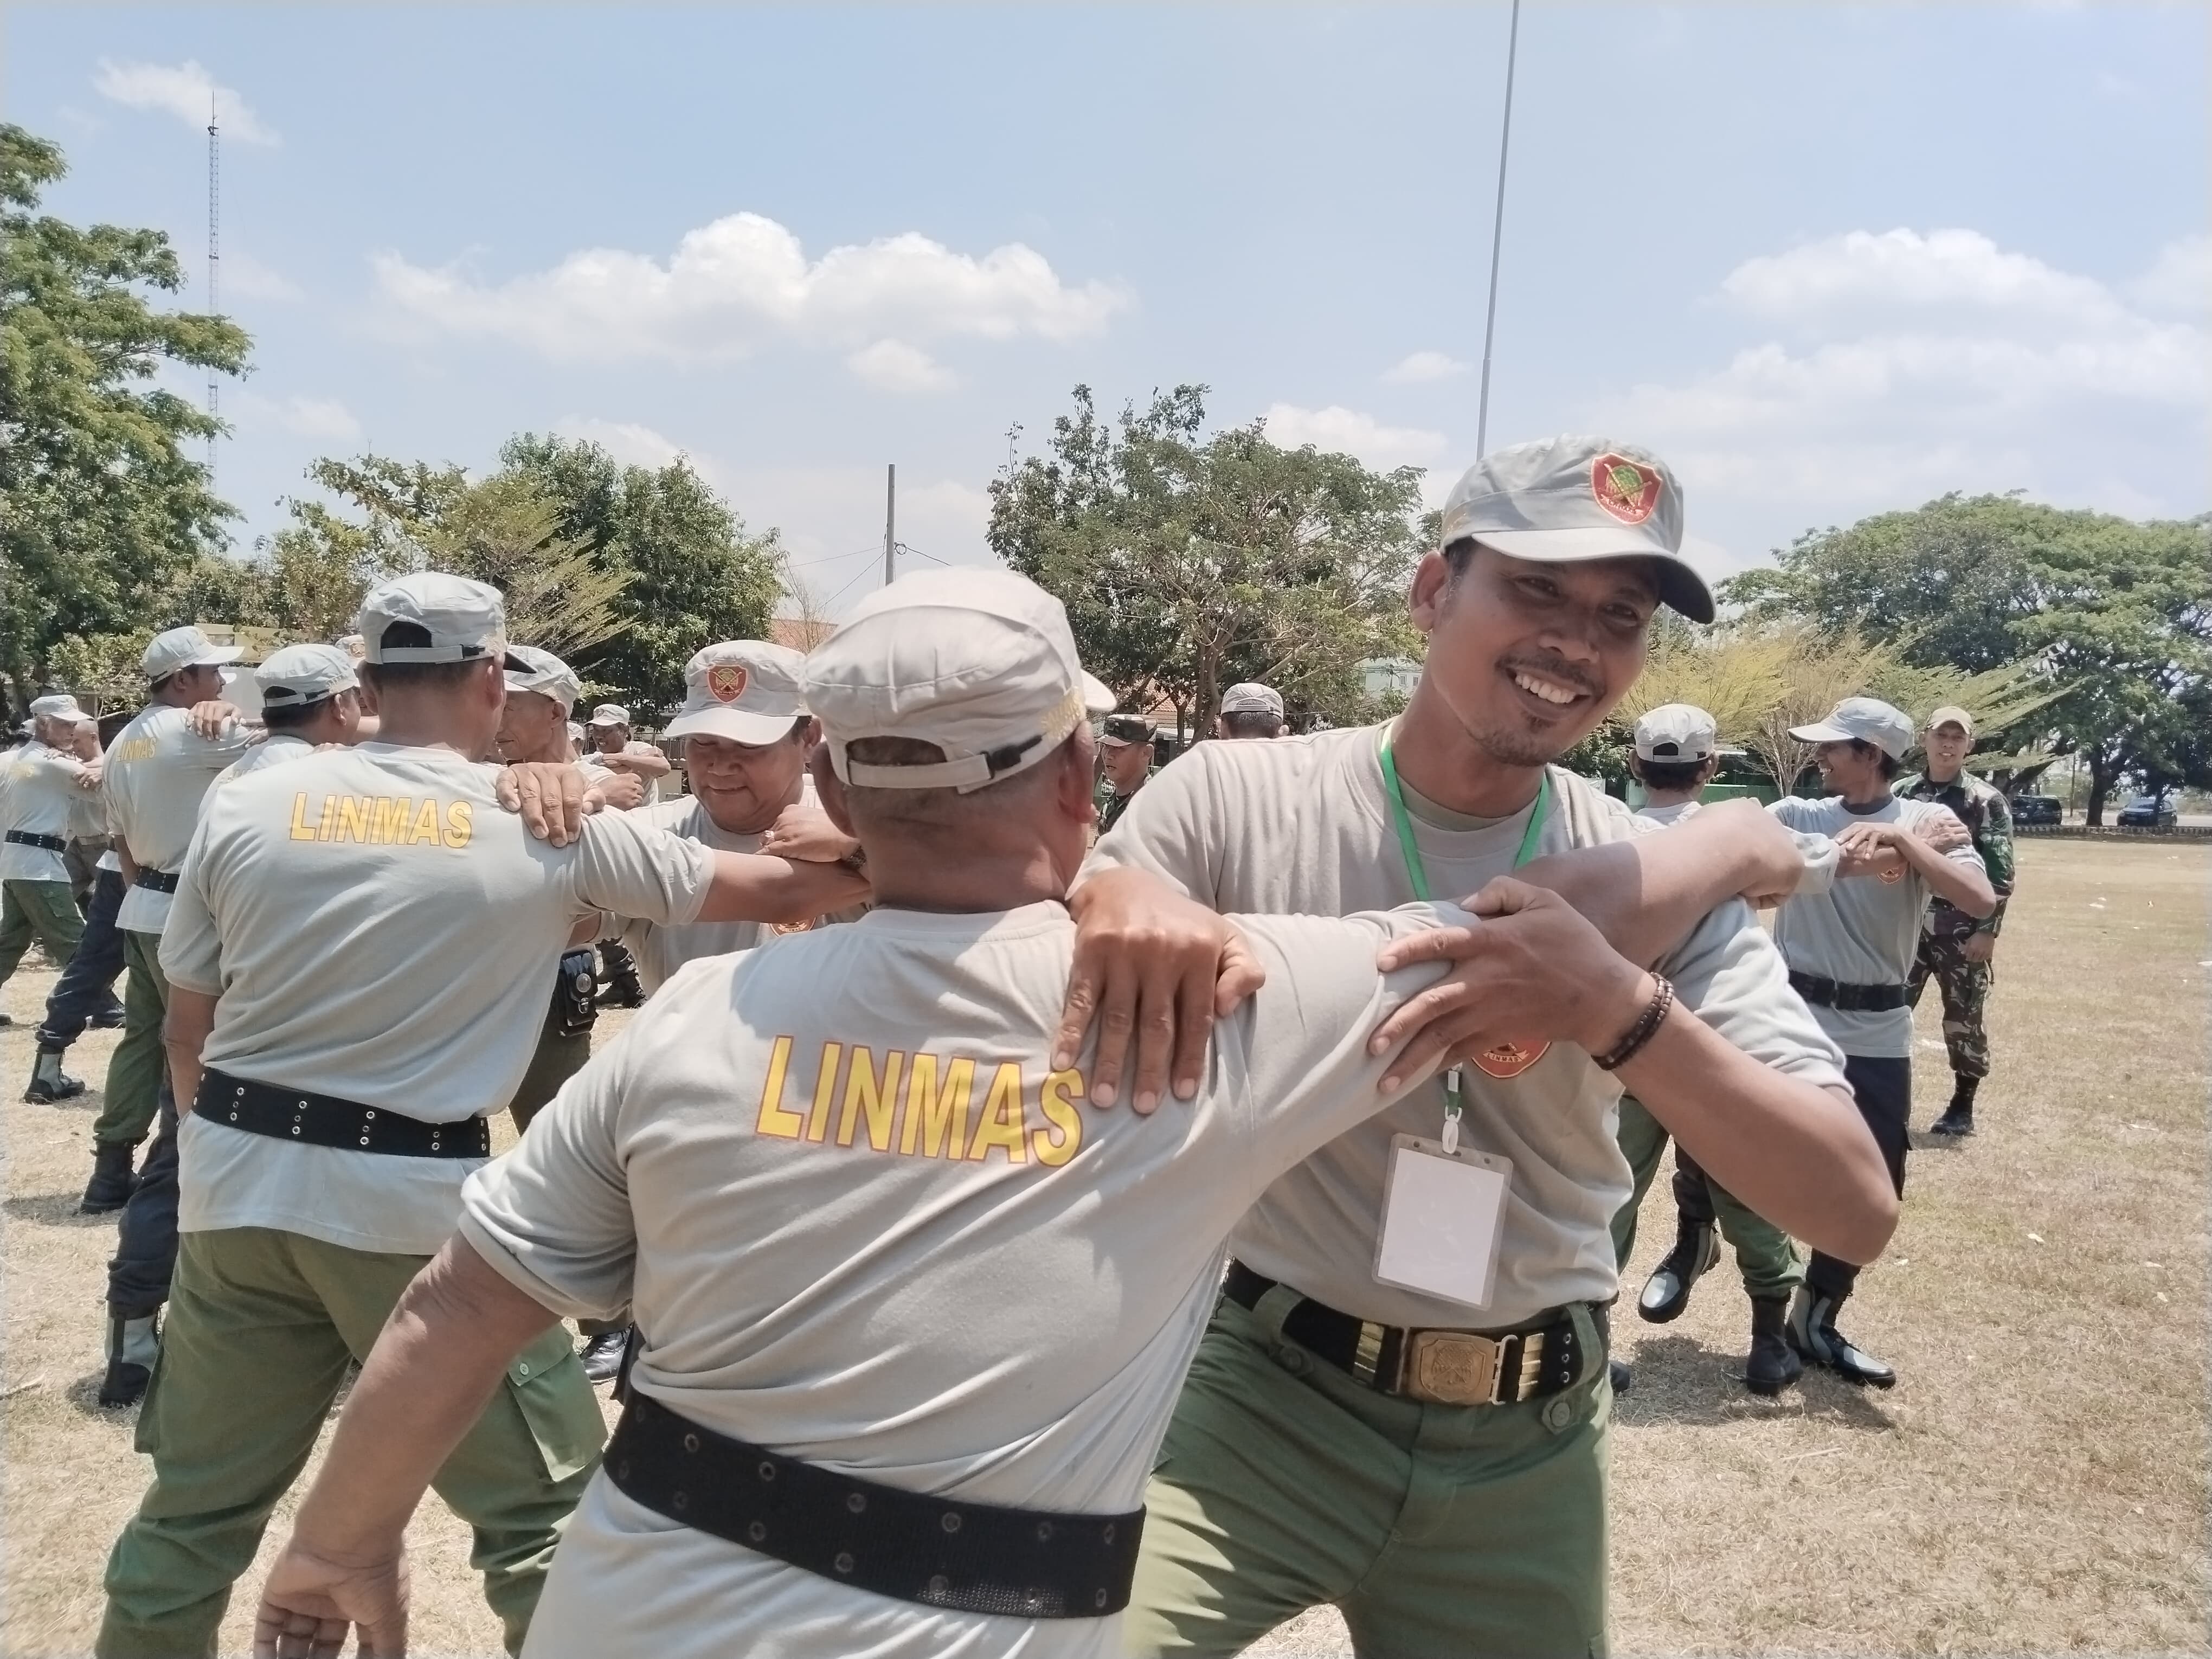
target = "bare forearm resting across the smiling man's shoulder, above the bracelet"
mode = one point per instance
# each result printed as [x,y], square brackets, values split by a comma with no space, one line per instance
[1645,895]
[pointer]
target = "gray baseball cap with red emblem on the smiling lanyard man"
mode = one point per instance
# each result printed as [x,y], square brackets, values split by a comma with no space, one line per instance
[1565,501]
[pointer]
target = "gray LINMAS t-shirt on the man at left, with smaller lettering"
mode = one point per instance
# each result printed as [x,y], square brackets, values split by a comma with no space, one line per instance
[379,930]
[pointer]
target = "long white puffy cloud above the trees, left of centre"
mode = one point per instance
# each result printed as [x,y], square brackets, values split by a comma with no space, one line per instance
[742,282]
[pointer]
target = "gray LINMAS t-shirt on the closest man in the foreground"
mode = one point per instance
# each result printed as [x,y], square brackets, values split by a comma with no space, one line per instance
[864,1222]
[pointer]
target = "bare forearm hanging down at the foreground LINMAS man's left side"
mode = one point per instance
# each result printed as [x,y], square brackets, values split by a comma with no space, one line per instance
[426,1384]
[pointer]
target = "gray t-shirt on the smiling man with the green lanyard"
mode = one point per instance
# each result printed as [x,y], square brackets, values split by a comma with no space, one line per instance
[1304,826]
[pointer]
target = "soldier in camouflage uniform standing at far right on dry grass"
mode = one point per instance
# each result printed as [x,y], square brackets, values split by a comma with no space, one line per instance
[1954,948]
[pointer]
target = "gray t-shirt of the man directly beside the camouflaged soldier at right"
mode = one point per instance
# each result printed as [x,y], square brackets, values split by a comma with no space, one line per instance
[1864,930]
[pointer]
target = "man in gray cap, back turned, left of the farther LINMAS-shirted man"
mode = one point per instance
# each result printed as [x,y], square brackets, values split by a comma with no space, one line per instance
[158,769]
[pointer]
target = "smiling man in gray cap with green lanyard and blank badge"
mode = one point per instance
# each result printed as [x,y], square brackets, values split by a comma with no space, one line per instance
[1346,1439]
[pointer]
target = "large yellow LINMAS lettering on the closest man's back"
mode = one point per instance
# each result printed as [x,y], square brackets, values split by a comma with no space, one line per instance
[926,1105]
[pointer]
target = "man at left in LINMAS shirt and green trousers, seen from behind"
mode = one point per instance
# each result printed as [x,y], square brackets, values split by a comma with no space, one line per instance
[335,1118]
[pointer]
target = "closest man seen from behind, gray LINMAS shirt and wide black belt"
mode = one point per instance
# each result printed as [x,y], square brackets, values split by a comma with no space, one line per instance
[917,1415]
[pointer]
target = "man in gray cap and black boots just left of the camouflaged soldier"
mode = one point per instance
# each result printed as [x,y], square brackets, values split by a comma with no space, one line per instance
[1853,954]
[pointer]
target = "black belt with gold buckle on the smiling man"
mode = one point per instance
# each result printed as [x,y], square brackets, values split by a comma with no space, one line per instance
[1446,1368]
